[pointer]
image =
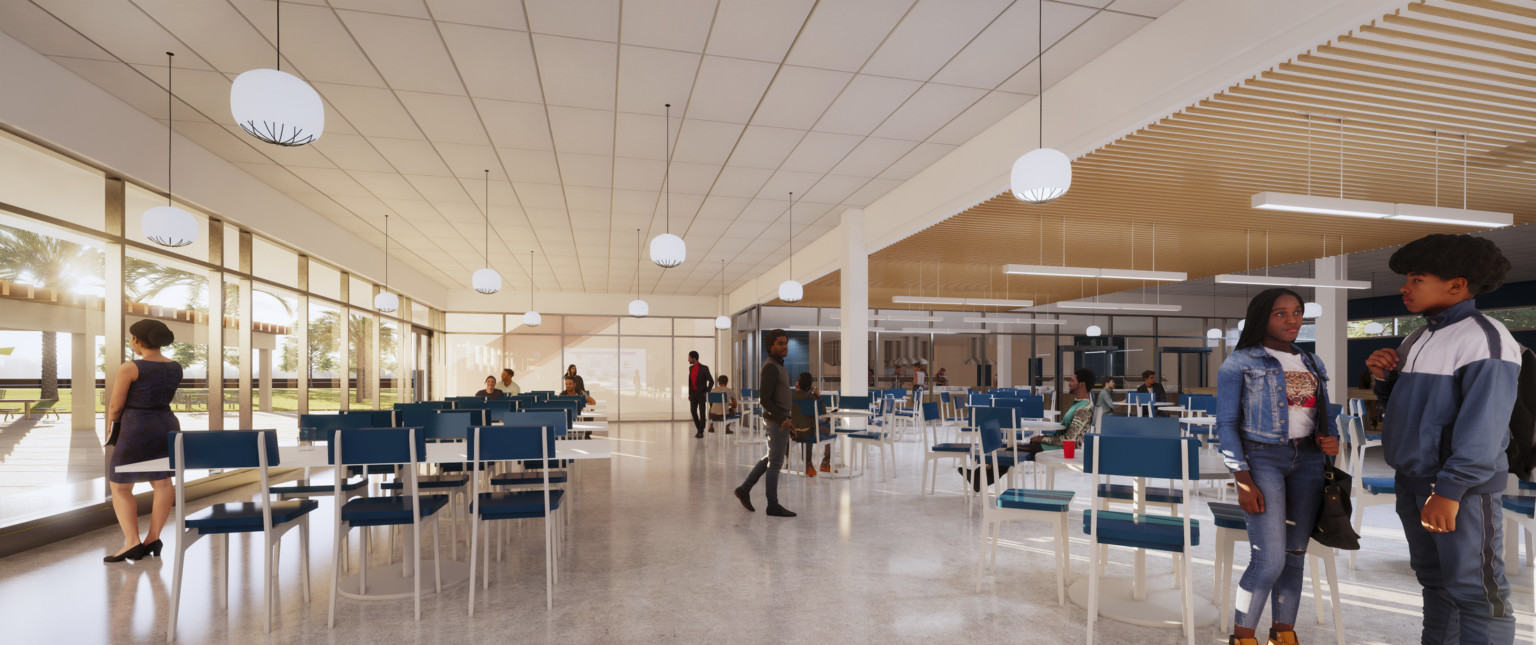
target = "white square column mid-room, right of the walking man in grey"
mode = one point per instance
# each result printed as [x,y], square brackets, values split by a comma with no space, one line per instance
[855,325]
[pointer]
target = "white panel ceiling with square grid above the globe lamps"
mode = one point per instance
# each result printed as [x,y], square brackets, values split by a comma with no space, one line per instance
[561,102]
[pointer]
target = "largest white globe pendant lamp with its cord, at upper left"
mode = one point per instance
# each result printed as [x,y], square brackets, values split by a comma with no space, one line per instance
[277,107]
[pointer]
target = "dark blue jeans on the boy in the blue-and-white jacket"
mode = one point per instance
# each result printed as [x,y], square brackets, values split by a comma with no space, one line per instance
[1466,595]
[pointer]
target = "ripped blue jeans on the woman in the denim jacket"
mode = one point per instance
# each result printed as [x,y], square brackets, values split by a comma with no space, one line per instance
[1291,478]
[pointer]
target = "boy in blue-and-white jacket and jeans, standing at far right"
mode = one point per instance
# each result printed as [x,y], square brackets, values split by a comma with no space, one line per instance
[1449,395]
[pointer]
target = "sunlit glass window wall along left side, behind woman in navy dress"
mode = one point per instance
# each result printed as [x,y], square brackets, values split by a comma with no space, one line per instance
[263,332]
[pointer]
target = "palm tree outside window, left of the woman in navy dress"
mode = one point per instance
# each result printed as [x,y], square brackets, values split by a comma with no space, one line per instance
[50,263]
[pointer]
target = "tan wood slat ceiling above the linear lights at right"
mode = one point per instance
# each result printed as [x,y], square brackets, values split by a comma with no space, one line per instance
[1412,90]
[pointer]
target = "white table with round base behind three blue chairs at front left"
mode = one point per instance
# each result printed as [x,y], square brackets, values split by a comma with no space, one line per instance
[396,583]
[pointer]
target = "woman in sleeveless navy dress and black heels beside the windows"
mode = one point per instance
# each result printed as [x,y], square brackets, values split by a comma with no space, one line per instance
[142,402]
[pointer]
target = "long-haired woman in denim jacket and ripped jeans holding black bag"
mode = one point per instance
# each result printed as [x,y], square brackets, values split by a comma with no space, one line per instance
[1274,429]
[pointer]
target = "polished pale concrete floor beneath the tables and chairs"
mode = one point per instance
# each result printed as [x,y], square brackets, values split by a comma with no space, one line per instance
[660,552]
